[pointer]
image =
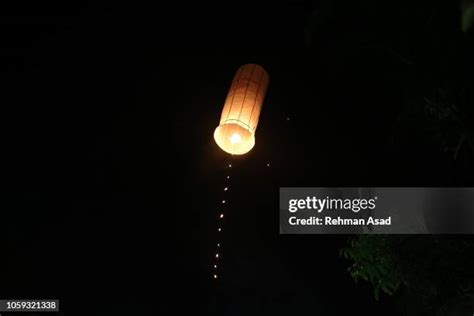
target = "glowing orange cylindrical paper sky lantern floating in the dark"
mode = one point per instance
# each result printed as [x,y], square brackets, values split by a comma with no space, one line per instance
[236,131]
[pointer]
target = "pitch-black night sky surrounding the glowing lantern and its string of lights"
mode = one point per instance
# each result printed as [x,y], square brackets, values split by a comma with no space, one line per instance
[113,176]
